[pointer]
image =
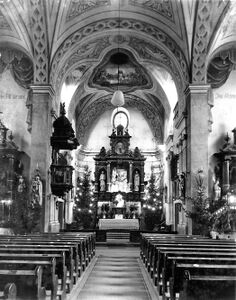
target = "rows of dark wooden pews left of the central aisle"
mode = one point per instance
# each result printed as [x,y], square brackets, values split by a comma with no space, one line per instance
[61,257]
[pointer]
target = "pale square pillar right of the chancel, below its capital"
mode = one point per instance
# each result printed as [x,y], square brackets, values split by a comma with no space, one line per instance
[198,104]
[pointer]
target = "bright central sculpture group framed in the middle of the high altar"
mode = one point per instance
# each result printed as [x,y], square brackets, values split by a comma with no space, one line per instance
[119,180]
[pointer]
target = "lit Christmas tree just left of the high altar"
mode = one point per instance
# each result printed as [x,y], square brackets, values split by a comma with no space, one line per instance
[85,205]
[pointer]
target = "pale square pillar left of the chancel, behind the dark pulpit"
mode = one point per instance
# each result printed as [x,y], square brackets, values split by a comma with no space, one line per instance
[42,104]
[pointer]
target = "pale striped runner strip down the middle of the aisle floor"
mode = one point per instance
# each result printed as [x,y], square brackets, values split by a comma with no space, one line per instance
[115,277]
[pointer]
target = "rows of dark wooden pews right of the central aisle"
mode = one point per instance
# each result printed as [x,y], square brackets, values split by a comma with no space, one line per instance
[174,262]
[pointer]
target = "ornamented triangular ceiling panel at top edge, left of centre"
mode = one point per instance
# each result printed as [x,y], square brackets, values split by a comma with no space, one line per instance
[78,7]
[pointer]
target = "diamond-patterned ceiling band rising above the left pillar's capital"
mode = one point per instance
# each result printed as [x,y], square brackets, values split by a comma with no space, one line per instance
[39,42]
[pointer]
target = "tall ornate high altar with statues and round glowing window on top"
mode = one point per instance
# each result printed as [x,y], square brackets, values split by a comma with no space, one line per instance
[119,174]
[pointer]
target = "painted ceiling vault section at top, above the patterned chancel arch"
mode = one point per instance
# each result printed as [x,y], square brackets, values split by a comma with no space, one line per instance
[167,15]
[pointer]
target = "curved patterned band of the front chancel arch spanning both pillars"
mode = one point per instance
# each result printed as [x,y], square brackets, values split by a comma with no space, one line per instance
[111,24]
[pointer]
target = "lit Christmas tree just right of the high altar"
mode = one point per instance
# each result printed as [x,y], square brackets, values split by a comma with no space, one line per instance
[153,198]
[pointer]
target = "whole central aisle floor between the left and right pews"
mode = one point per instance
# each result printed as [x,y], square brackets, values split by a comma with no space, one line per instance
[117,273]
